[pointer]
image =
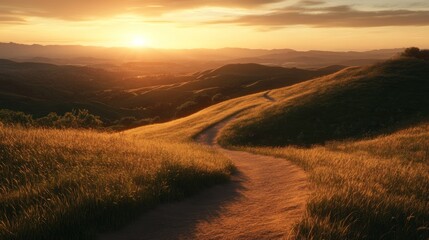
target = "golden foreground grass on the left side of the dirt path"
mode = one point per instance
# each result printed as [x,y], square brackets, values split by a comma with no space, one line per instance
[68,184]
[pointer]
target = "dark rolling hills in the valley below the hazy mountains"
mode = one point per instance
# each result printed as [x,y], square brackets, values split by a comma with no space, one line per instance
[40,88]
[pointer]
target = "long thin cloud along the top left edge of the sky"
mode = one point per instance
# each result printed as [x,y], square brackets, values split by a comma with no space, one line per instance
[88,9]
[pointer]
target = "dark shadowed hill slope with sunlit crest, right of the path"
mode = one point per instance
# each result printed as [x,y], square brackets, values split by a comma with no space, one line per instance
[354,103]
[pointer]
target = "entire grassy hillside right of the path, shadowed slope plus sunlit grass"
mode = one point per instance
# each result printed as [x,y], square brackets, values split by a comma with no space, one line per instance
[371,182]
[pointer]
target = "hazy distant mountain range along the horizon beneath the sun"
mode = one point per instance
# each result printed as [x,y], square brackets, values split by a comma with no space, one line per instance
[174,61]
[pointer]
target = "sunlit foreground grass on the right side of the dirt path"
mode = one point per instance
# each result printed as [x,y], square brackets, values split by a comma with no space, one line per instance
[369,189]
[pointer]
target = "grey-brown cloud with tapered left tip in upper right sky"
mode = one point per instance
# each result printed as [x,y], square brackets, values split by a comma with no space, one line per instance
[309,13]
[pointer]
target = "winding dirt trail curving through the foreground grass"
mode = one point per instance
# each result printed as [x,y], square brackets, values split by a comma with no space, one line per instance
[263,201]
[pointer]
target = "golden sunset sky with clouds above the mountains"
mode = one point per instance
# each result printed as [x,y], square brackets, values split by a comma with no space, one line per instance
[301,25]
